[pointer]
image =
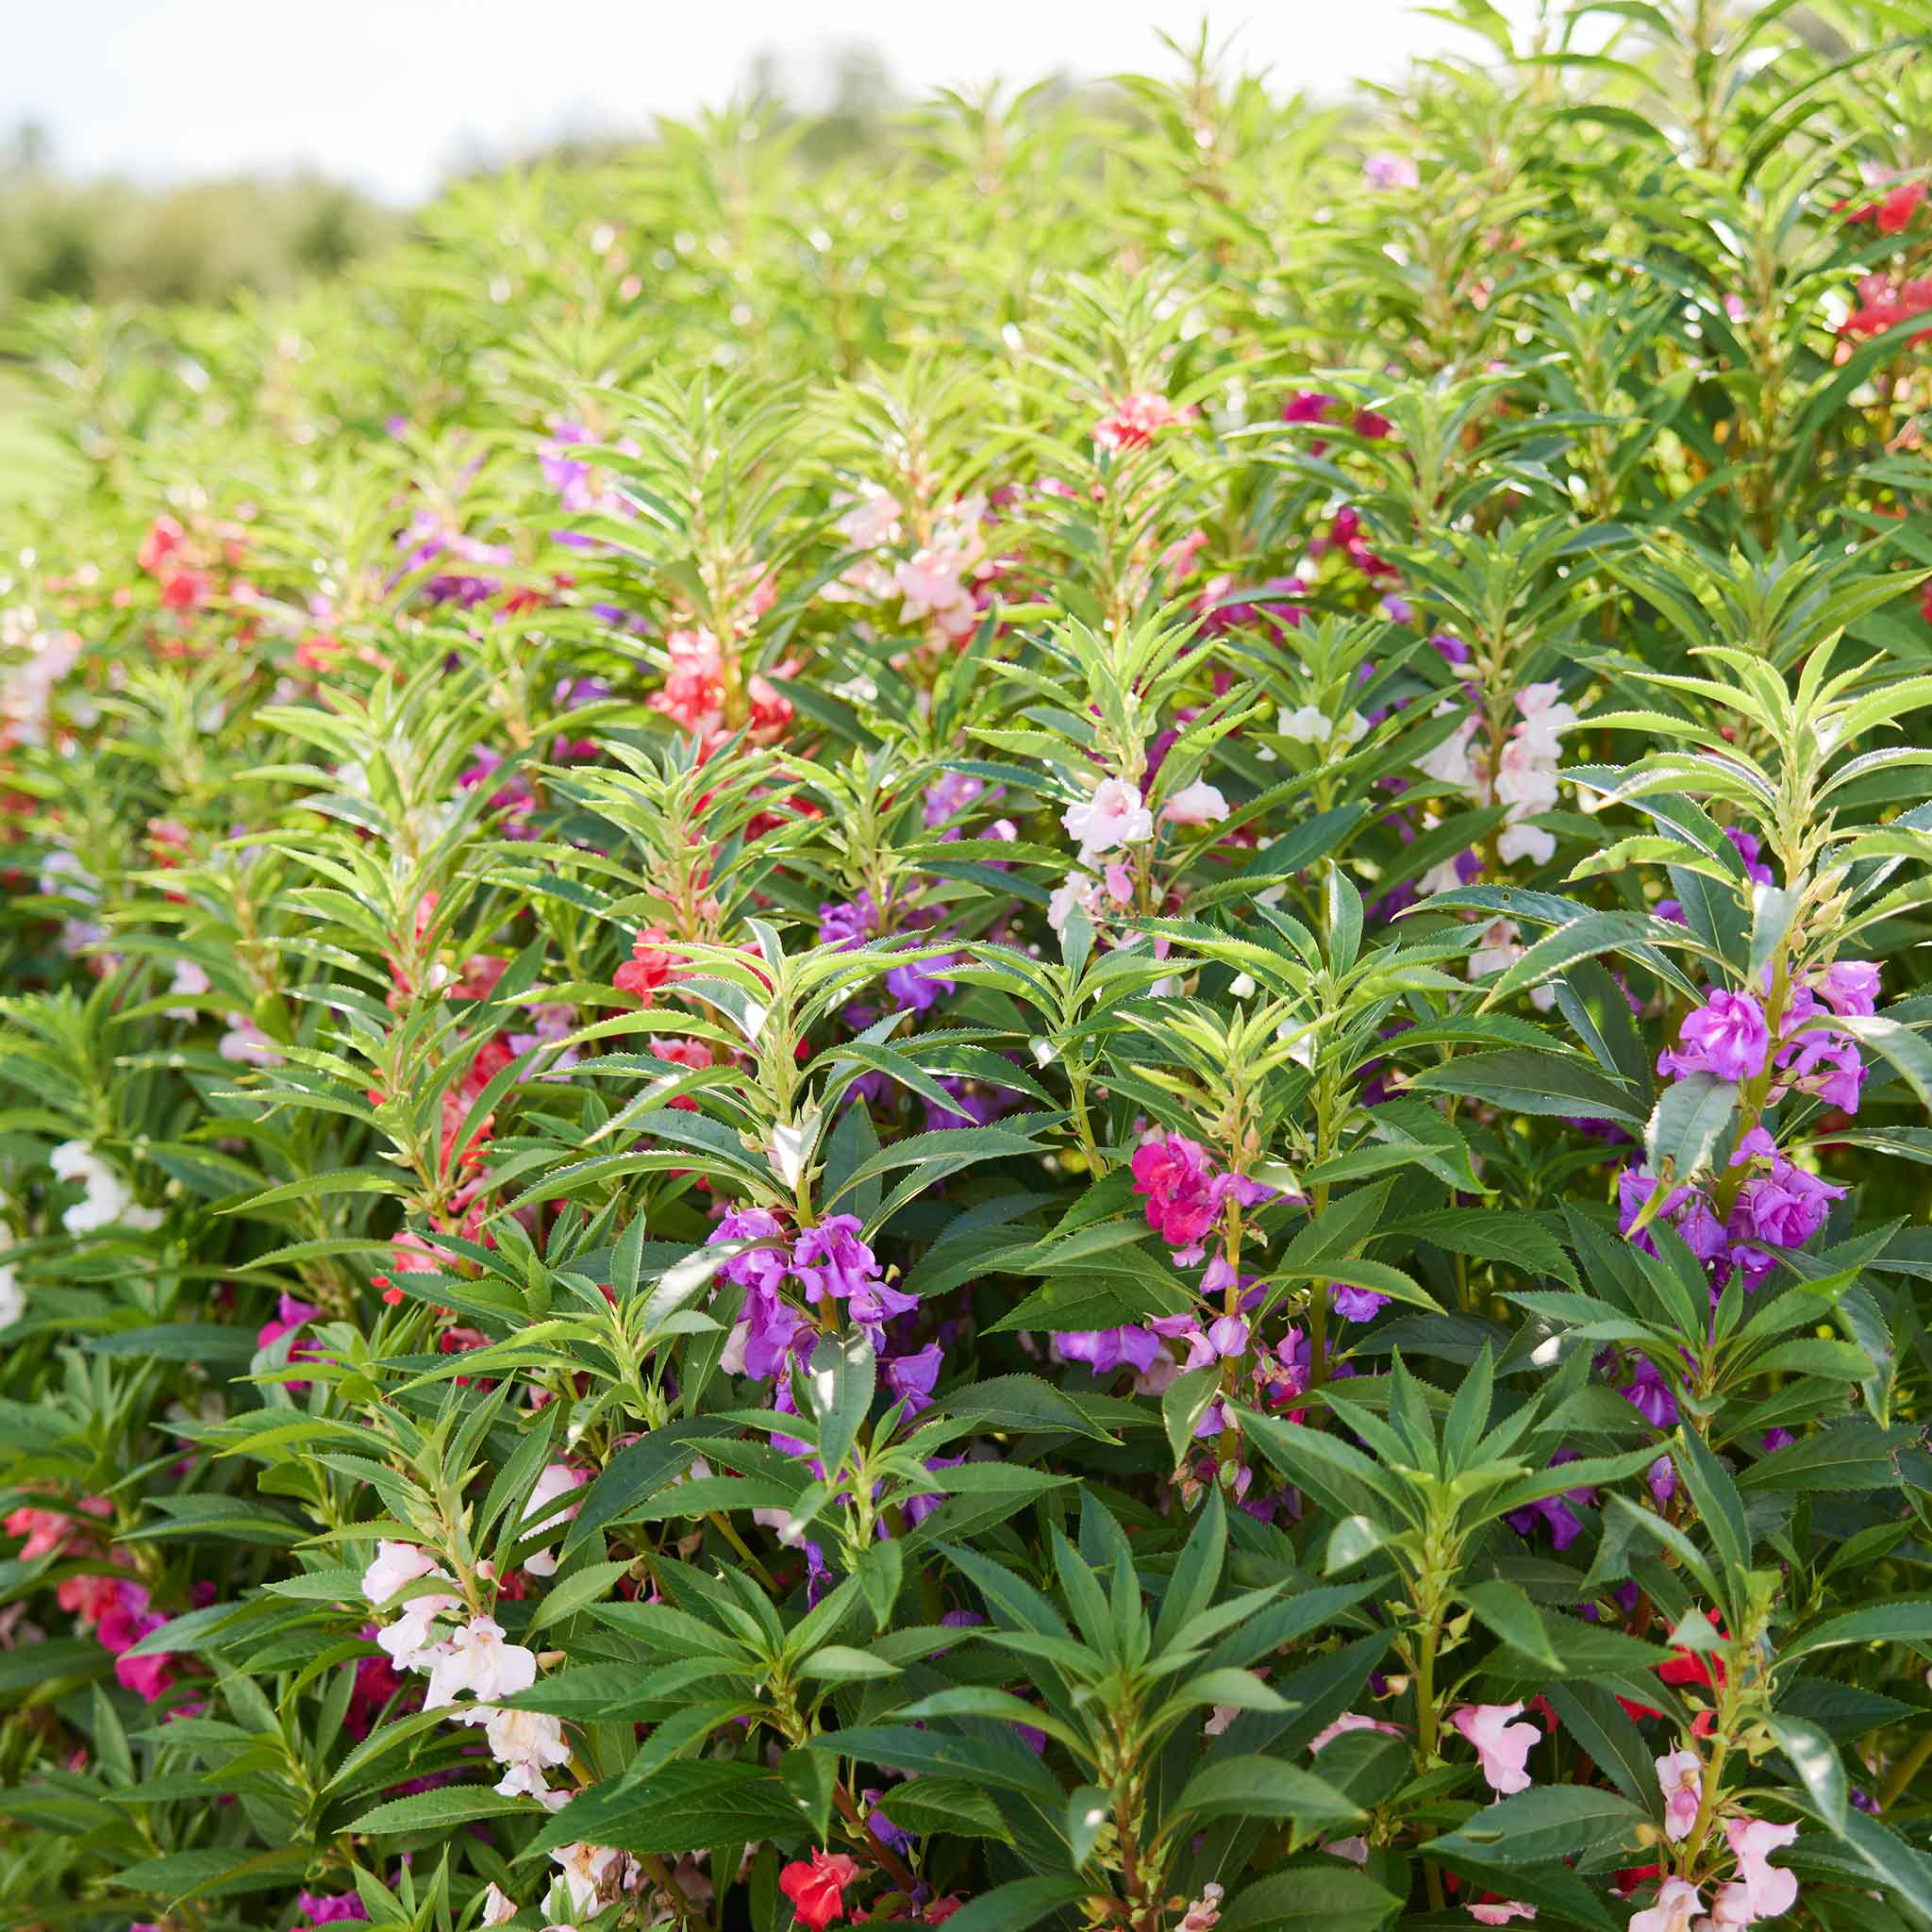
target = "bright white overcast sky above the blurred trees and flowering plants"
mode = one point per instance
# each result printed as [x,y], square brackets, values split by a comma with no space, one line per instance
[391,94]
